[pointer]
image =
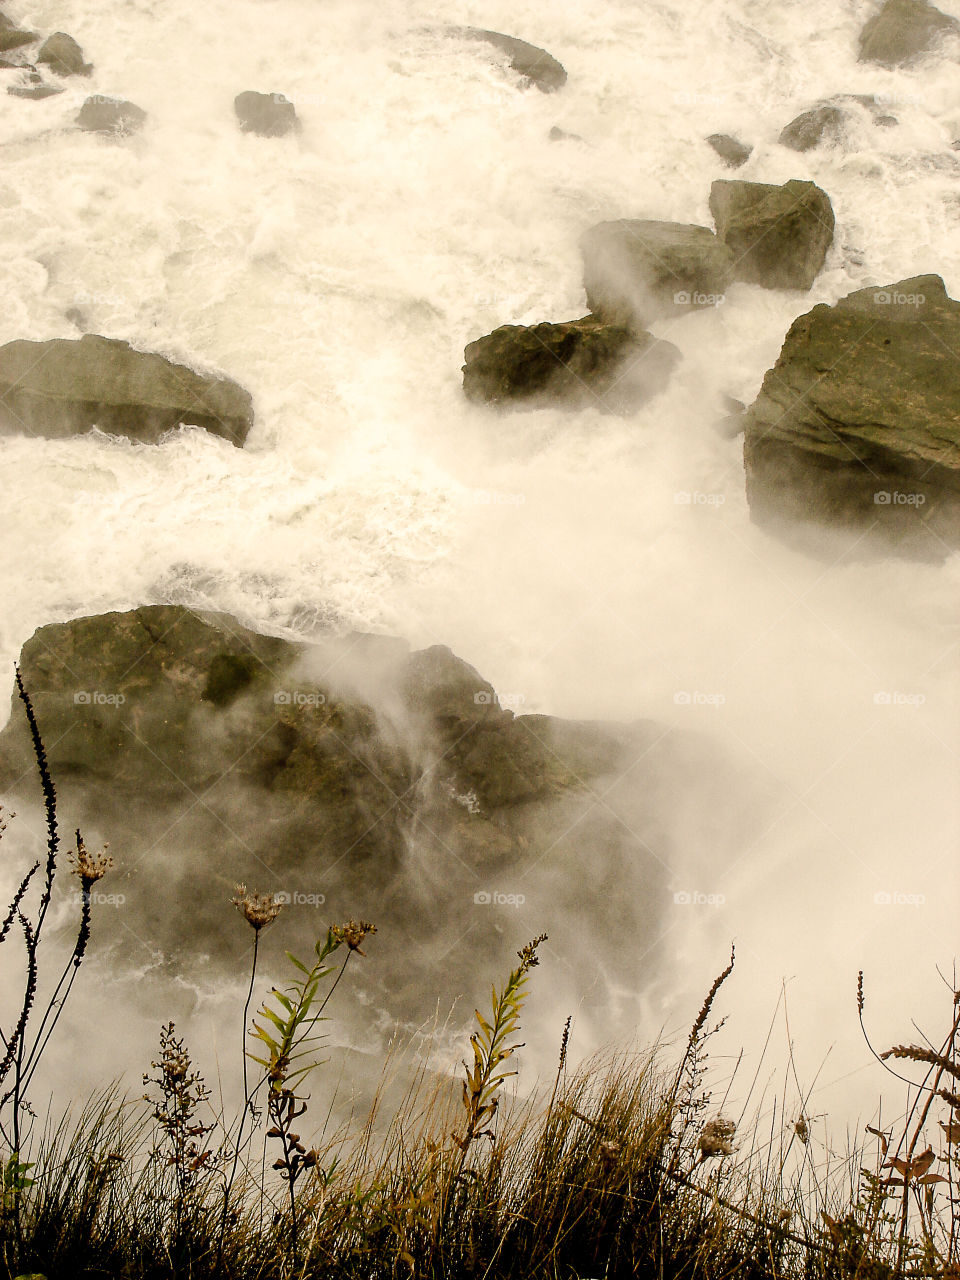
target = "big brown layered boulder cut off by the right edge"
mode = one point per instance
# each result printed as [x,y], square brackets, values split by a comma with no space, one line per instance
[858,424]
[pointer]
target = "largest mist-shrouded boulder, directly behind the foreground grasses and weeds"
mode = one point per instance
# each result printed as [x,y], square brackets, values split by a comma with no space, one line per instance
[362,780]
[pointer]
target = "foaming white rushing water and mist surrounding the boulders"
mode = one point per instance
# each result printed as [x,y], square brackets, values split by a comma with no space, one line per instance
[339,276]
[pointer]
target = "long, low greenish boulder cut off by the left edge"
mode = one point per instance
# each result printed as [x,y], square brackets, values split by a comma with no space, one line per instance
[65,387]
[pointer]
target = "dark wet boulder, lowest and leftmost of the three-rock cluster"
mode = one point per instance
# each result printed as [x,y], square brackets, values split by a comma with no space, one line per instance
[579,364]
